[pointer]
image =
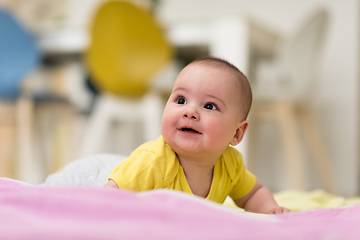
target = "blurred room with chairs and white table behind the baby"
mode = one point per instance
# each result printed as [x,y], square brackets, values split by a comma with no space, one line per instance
[92,76]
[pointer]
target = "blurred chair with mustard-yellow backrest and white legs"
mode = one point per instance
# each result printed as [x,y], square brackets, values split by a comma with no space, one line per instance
[127,49]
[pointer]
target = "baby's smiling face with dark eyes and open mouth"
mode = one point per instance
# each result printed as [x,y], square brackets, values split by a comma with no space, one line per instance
[203,111]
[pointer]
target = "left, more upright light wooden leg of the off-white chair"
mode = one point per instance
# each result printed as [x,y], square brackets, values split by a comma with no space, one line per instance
[287,120]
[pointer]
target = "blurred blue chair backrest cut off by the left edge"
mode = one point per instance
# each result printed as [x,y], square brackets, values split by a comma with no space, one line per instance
[18,55]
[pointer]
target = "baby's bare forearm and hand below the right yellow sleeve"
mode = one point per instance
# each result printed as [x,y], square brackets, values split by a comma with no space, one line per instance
[260,200]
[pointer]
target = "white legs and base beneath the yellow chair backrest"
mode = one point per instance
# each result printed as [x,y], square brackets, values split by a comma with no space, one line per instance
[109,108]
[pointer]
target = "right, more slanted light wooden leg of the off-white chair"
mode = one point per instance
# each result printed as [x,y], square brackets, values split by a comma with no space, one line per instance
[319,152]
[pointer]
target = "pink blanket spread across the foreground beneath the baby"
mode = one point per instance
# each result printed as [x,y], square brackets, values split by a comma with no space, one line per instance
[34,212]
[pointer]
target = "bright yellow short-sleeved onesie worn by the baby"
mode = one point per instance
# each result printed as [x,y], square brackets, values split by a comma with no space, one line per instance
[155,165]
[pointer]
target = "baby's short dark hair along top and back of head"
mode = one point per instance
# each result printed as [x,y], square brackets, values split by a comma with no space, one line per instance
[244,83]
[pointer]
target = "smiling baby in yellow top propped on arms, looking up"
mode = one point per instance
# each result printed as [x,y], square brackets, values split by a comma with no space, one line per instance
[205,113]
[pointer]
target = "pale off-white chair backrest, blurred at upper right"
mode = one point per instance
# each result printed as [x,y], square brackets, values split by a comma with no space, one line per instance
[303,52]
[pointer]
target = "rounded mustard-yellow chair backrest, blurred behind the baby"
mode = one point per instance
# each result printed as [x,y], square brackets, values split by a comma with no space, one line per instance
[126,49]
